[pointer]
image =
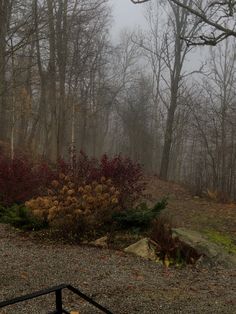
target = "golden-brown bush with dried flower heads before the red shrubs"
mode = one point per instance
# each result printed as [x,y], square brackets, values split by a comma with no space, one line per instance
[67,204]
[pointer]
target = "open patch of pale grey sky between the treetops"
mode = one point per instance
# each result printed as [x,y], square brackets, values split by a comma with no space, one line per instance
[126,14]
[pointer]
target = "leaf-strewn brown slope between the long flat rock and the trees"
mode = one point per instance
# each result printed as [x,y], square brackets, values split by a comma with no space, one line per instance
[191,212]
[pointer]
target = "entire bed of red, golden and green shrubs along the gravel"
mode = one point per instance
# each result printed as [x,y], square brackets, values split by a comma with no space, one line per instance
[78,199]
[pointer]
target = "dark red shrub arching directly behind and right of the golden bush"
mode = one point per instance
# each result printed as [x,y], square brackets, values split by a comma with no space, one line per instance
[126,175]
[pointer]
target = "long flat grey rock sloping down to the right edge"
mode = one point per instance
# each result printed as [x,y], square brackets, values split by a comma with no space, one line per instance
[213,253]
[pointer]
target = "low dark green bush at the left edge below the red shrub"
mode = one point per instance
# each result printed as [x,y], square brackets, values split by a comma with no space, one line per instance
[20,217]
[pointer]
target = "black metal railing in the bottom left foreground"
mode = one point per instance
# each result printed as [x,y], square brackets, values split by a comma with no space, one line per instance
[58,292]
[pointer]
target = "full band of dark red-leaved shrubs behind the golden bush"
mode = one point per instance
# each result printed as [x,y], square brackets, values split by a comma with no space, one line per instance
[21,178]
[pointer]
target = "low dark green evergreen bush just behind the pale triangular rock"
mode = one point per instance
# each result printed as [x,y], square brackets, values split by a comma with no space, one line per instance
[140,217]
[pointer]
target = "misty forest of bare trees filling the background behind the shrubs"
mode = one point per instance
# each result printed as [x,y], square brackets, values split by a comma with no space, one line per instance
[64,83]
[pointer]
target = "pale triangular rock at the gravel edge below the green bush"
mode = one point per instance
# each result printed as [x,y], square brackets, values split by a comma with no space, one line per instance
[142,248]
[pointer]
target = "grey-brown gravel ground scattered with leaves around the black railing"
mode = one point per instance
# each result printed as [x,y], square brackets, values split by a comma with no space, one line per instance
[123,283]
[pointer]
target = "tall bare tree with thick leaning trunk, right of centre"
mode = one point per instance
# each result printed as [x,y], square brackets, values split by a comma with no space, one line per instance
[174,54]
